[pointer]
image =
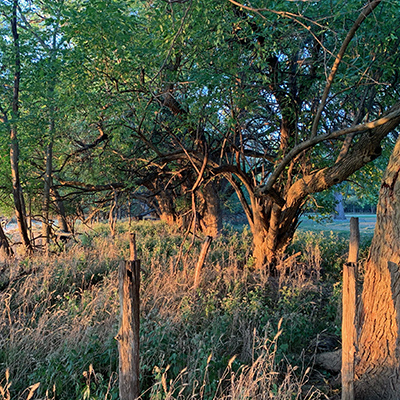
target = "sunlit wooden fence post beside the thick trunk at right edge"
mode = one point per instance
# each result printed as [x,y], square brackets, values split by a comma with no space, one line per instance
[349,313]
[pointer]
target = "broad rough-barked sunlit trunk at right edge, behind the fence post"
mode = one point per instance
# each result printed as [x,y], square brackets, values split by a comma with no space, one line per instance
[378,369]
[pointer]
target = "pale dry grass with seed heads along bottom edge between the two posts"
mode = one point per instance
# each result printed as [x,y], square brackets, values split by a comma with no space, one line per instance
[262,379]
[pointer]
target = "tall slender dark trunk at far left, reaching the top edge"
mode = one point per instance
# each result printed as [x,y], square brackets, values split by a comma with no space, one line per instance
[14,149]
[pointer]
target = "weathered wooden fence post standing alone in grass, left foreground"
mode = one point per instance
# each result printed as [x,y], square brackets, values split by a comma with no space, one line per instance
[128,335]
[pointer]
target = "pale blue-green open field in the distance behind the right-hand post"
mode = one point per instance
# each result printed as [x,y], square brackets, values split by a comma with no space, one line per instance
[366,221]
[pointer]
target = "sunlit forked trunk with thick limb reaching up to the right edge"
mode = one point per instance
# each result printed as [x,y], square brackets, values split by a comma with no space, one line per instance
[280,224]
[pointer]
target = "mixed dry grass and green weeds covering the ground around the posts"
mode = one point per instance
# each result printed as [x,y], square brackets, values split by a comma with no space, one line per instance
[241,334]
